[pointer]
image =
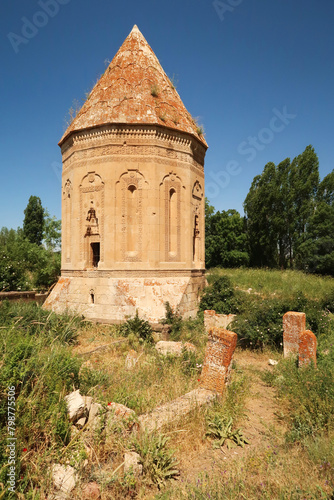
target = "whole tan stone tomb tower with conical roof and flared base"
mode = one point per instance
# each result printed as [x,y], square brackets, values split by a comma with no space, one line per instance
[132,196]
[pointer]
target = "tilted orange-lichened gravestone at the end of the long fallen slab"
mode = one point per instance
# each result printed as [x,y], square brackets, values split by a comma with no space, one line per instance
[218,359]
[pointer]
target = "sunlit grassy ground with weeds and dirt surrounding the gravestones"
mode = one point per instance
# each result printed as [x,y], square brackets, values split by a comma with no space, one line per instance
[287,414]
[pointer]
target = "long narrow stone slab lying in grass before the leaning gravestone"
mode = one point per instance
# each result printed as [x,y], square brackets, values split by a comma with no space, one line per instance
[175,410]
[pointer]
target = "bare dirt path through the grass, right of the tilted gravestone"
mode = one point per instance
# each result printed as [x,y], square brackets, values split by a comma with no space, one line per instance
[260,424]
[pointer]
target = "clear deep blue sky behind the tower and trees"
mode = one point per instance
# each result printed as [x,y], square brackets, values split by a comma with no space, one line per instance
[259,74]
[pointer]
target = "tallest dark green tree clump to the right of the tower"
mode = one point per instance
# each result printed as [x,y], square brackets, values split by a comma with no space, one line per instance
[279,206]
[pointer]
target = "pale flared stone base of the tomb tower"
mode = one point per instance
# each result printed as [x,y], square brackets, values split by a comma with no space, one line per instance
[115,298]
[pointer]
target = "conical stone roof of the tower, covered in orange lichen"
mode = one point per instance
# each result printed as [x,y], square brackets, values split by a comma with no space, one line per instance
[134,89]
